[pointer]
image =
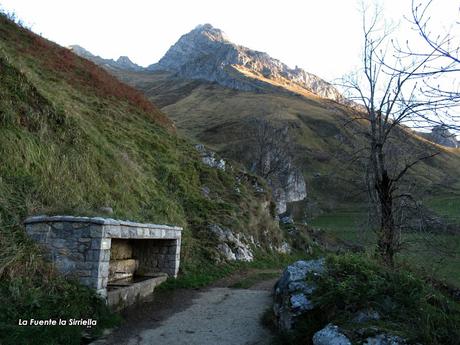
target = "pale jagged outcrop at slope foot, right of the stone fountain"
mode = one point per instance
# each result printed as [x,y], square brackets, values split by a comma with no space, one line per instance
[231,247]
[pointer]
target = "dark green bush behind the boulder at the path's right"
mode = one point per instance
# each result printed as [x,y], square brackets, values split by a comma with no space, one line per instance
[408,305]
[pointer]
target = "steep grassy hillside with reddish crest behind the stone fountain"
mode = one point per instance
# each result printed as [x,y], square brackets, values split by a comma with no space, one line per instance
[74,139]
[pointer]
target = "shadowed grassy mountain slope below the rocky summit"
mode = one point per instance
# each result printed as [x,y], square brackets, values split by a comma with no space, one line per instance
[323,143]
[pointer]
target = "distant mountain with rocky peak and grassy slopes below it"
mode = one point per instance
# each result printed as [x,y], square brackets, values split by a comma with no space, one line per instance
[210,87]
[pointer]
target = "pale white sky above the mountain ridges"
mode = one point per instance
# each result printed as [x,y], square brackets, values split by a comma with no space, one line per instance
[322,37]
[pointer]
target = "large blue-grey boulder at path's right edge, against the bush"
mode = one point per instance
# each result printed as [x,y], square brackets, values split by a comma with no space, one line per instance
[293,292]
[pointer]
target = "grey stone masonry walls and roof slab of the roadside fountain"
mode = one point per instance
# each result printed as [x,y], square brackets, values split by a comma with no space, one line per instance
[81,246]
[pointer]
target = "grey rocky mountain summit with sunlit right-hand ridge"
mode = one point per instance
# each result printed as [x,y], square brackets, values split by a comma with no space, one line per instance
[206,53]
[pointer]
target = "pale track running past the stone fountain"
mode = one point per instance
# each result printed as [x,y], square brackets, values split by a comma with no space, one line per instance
[218,315]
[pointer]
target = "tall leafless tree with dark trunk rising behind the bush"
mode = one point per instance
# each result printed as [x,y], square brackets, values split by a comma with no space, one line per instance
[387,91]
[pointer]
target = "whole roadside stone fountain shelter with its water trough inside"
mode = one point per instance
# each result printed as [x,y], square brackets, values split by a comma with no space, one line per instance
[122,260]
